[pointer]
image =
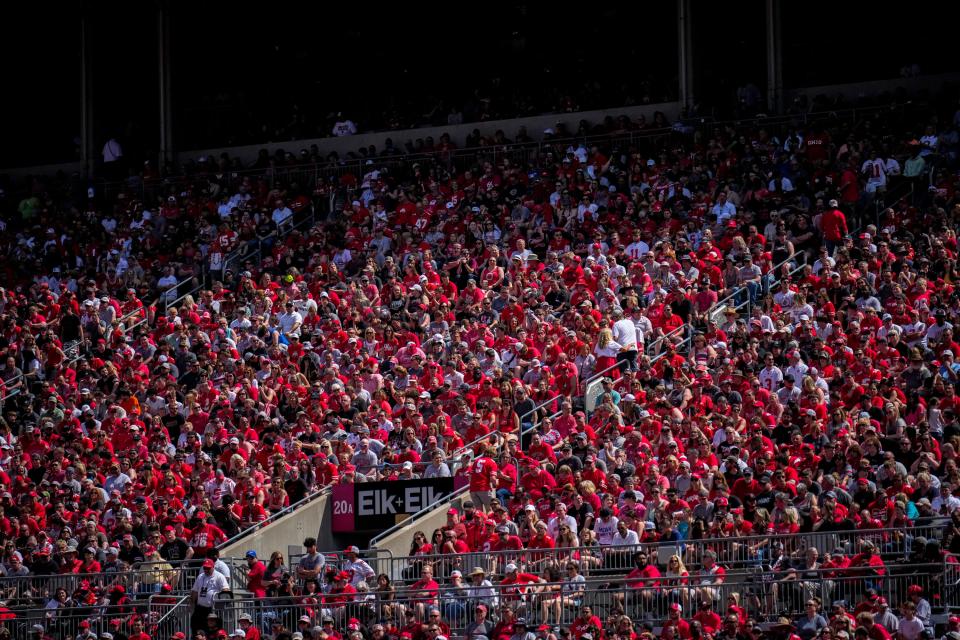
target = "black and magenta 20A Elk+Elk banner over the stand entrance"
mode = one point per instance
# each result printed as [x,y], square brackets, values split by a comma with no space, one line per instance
[376,506]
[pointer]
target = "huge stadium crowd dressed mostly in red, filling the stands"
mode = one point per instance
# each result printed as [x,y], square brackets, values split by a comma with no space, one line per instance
[440,320]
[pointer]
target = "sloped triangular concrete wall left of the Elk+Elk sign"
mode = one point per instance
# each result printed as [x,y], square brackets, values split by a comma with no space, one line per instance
[312,519]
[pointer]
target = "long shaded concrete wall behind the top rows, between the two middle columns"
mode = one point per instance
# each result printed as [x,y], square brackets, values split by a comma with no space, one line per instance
[535,126]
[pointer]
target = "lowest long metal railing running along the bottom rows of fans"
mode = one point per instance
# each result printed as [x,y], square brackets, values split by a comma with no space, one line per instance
[764,595]
